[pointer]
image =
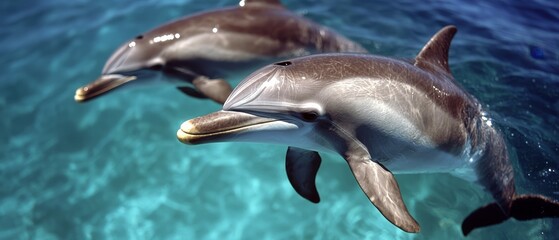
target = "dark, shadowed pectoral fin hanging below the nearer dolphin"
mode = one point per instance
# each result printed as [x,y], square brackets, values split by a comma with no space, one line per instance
[301,166]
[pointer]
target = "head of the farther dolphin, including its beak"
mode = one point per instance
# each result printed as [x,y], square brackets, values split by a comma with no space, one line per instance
[136,59]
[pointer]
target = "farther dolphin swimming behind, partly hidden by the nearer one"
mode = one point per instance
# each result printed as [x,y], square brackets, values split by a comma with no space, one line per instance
[200,50]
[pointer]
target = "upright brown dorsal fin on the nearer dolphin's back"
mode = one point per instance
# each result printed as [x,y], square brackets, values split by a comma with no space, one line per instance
[434,55]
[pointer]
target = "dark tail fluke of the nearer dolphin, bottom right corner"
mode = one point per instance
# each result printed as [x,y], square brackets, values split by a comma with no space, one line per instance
[524,207]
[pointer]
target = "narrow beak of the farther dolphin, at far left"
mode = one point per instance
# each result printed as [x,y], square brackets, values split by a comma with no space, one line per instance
[102,85]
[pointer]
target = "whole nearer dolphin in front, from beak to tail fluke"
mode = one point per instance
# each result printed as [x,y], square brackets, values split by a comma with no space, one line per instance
[383,116]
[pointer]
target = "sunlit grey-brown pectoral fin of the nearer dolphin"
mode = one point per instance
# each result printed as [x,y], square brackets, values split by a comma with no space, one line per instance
[383,191]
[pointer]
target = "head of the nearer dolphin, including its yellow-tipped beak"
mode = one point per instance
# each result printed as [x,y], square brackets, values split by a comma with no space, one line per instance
[276,104]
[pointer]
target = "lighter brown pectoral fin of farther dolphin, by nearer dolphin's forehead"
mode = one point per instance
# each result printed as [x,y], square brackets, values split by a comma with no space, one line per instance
[215,89]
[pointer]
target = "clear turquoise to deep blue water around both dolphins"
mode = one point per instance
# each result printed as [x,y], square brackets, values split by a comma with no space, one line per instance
[113,169]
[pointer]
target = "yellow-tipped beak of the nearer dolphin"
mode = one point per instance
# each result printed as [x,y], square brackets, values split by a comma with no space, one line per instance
[232,126]
